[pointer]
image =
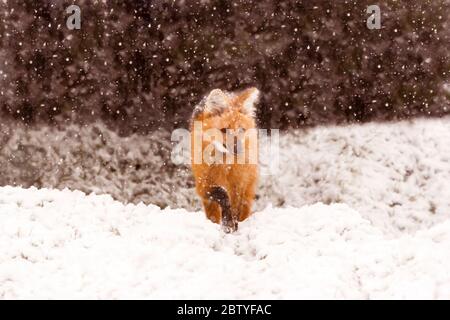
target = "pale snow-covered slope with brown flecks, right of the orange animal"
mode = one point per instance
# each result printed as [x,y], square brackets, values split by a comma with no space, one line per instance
[400,171]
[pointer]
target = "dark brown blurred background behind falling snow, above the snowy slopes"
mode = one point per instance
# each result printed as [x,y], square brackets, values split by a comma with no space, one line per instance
[142,65]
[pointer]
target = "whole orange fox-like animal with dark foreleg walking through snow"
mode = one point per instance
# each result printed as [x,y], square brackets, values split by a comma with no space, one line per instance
[227,184]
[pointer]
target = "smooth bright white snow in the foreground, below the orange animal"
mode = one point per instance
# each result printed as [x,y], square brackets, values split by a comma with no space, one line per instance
[64,244]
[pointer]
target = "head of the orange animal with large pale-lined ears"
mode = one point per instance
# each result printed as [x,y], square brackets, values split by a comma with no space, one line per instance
[226,122]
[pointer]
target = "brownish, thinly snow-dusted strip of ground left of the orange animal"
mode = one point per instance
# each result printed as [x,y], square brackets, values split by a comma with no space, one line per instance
[94,159]
